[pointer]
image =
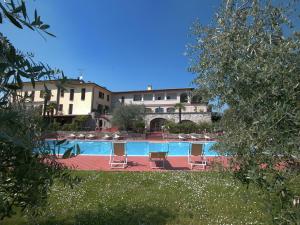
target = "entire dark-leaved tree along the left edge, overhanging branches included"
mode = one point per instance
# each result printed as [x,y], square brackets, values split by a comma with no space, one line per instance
[25,173]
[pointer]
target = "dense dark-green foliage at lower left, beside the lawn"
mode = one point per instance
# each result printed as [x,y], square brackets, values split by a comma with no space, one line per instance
[25,174]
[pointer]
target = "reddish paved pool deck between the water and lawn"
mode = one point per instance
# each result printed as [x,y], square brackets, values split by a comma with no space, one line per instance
[139,163]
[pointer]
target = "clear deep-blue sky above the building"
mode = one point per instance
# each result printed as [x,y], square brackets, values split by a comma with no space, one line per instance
[119,44]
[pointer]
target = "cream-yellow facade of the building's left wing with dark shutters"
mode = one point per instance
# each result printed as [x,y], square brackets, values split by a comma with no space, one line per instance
[76,98]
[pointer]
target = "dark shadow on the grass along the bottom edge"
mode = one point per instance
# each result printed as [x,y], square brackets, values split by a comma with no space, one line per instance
[119,214]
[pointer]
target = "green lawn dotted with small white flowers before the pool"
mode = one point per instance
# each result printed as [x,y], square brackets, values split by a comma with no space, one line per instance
[157,198]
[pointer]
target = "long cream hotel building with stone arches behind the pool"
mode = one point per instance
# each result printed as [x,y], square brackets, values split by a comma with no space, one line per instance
[87,98]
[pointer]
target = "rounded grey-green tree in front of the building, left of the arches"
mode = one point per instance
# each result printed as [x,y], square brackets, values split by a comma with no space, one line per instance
[128,117]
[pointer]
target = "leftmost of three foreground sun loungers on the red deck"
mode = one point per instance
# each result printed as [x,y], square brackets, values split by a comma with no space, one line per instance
[118,155]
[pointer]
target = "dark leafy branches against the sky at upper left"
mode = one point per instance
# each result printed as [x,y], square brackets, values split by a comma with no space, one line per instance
[15,65]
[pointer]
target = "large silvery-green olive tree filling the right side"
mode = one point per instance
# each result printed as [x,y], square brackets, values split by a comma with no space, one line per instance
[249,58]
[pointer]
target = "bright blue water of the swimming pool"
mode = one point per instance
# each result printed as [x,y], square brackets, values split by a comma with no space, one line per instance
[133,148]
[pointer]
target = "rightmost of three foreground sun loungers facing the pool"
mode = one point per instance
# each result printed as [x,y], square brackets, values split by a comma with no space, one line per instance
[196,155]
